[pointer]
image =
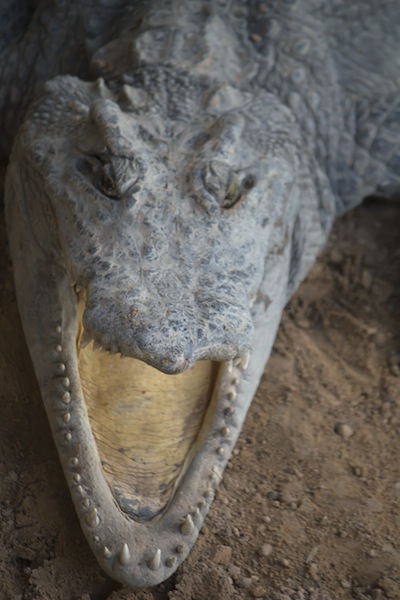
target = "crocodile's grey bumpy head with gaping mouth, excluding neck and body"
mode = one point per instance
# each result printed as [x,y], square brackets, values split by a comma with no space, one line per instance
[160,232]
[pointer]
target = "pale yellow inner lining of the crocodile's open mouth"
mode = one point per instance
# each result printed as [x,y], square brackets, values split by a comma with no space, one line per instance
[147,425]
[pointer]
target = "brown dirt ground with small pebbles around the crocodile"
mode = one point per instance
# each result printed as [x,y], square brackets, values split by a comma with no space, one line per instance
[309,505]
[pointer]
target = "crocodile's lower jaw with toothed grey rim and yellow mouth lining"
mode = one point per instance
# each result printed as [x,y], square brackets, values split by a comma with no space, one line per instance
[142,451]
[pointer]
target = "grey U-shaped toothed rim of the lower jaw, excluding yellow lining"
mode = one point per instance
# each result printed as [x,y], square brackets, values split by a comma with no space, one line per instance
[138,554]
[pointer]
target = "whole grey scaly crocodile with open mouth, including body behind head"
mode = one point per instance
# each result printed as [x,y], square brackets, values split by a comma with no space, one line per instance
[175,168]
